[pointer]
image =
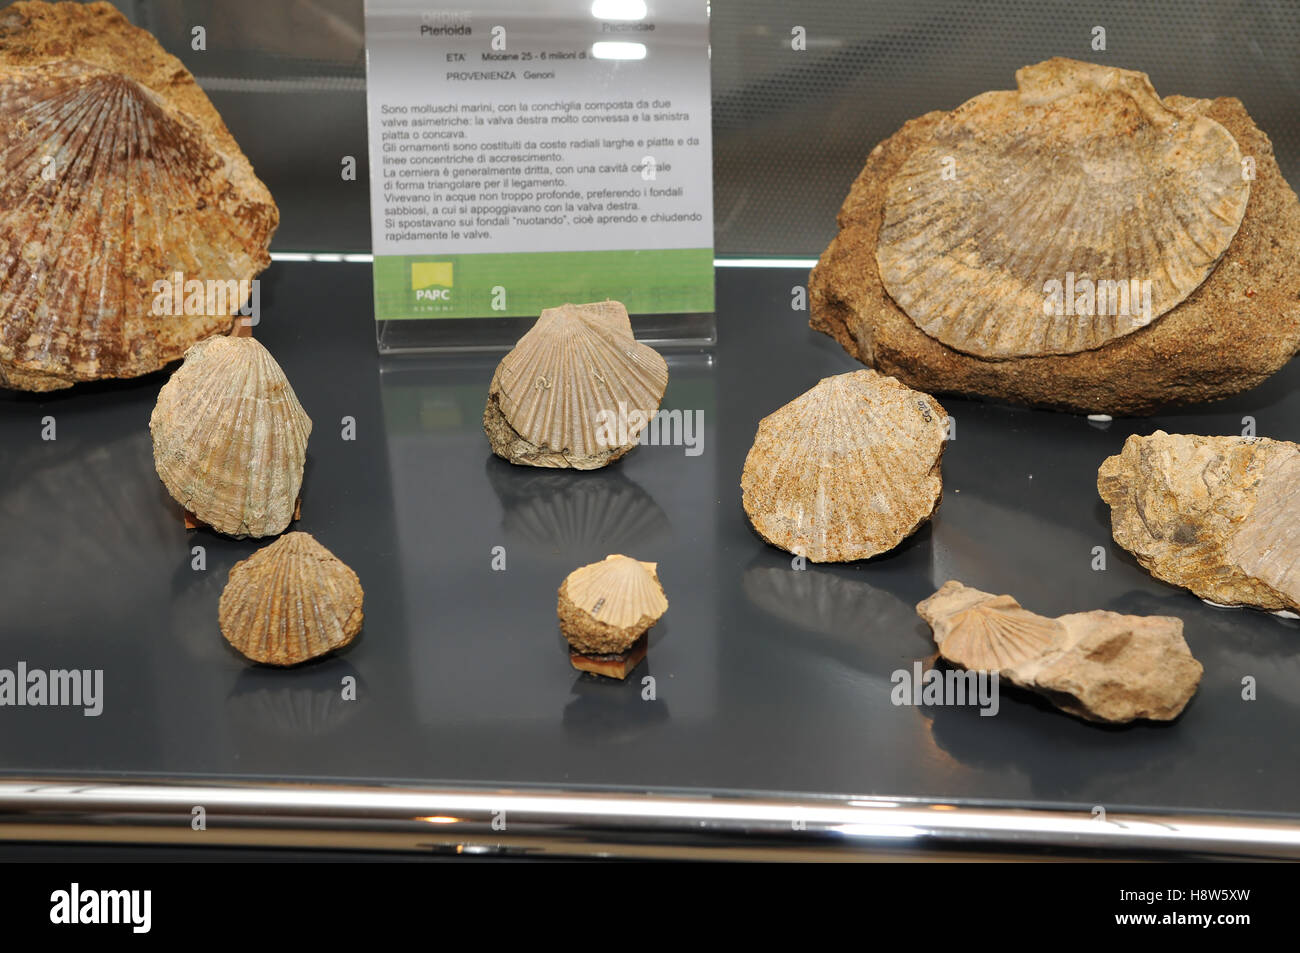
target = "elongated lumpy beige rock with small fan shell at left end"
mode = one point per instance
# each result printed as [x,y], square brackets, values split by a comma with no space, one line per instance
[1099,666]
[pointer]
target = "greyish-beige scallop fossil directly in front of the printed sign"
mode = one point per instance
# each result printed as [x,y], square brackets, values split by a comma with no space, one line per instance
[577,391]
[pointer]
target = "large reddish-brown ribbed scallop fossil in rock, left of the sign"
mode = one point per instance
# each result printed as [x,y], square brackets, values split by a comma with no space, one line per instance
[118,175]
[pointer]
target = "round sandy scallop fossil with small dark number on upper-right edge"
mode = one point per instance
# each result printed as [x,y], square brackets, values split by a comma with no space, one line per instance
[847,471]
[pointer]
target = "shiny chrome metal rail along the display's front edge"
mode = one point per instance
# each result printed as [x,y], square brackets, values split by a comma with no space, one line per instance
[575,824]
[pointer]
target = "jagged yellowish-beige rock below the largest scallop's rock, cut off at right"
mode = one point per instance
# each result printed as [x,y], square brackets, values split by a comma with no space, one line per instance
[1217,516]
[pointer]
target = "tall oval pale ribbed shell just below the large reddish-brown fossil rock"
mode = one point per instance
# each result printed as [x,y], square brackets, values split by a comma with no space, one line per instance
[231,439]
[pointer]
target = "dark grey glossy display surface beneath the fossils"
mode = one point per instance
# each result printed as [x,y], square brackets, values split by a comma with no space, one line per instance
[768,679]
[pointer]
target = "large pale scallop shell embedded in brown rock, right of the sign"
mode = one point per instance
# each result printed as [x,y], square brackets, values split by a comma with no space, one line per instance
[1082,175]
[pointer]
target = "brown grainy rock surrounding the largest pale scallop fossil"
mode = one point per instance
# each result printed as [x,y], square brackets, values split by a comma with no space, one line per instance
[1232,333]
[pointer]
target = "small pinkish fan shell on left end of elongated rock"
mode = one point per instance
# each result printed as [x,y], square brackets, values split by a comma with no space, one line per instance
[986,633]
